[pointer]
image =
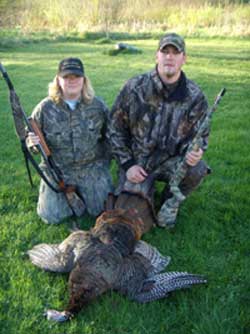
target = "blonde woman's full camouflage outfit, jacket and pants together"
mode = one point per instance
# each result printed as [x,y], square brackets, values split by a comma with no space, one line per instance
[80,149]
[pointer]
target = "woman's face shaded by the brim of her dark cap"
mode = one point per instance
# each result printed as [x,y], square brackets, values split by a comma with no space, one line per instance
[71,86]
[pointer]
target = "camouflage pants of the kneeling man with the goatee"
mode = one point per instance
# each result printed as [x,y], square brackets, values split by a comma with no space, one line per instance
[193,178]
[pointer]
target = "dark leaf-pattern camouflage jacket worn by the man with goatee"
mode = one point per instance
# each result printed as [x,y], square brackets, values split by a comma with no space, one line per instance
[149,125]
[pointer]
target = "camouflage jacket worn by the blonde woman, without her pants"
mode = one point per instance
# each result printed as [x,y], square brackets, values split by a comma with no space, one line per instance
[75,137]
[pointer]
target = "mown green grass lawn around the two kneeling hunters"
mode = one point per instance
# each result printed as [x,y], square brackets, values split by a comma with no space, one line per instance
[212,234]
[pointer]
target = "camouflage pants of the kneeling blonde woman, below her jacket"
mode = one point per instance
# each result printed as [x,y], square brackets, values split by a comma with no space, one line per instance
[93,182]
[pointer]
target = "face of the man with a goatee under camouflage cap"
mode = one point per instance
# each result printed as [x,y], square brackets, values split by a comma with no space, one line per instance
[169,63]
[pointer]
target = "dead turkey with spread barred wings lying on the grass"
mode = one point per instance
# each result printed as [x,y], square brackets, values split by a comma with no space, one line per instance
[111,256]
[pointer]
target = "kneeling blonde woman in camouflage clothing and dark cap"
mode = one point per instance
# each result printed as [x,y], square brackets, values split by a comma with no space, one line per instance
[73,121]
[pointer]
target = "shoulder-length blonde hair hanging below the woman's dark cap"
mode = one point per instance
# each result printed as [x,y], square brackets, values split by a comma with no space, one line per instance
[55,91]
